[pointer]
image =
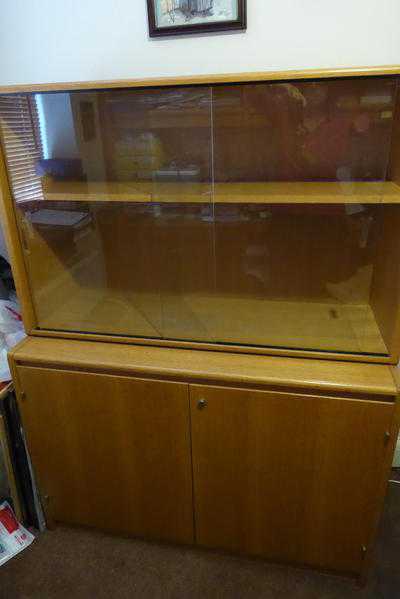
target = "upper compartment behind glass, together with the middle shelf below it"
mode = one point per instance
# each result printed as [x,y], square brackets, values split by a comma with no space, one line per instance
[305,142]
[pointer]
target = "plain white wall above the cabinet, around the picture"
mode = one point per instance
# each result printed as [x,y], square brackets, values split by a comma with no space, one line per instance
[73,40]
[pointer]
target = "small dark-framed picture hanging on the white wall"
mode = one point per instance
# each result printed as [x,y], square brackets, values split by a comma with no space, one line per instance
[182,17]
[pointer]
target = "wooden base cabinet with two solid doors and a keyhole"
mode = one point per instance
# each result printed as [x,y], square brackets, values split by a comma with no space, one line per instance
[276,457]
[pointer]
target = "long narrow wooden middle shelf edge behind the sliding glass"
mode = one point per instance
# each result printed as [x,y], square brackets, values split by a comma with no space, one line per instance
[225,193]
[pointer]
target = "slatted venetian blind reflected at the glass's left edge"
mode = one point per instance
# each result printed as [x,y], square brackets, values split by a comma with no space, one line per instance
[20,133]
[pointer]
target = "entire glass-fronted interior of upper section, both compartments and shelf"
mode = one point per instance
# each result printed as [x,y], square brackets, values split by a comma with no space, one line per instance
[254,214]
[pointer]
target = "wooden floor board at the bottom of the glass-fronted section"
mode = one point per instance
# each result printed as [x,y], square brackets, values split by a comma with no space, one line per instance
[299,324]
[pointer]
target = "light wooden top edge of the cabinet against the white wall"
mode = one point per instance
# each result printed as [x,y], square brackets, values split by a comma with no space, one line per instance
[206,79]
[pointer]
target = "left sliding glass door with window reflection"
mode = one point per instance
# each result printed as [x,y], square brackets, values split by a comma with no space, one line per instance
[123,196]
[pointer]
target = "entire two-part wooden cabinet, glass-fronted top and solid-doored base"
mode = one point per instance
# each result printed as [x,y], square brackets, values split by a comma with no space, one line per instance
[209,276]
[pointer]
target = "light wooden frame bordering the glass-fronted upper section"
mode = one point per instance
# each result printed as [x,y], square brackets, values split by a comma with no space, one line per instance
[15,243]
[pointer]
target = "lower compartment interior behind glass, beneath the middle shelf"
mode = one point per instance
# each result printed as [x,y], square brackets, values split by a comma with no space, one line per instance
[130,276]
